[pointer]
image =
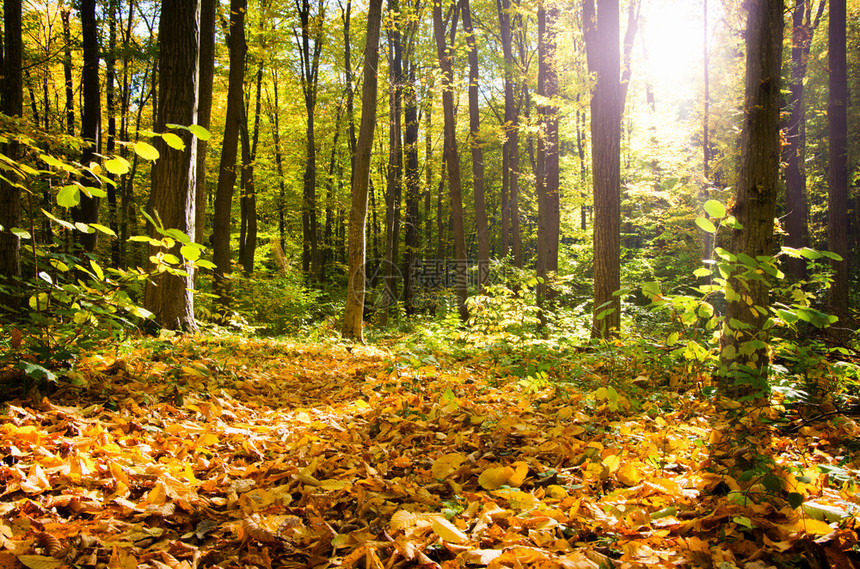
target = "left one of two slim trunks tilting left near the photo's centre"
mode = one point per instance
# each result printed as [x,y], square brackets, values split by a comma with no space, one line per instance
[453,159]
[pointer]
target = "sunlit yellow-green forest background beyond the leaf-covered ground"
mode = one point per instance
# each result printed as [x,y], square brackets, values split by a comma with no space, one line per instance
[508,240]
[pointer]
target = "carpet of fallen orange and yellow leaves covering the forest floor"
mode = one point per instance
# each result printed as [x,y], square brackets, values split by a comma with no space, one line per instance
[263,454]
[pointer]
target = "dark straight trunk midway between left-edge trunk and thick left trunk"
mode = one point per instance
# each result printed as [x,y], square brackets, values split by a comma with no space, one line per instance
[88,210]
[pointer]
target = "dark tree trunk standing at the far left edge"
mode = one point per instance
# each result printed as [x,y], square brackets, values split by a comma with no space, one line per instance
[10,197]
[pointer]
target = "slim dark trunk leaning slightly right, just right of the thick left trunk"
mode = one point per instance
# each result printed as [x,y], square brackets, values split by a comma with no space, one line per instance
[229,151]
